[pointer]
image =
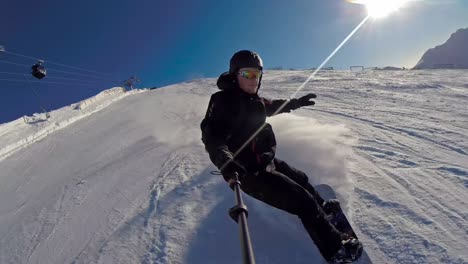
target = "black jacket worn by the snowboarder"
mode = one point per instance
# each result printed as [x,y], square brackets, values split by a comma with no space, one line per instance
[233,116]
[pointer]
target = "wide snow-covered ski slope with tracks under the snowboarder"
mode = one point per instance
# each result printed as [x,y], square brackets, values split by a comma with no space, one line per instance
[126,178]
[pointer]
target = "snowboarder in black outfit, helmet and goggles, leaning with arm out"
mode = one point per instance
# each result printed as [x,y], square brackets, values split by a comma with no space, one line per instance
[236,113]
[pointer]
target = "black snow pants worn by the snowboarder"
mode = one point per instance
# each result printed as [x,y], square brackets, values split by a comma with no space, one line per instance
[288,189]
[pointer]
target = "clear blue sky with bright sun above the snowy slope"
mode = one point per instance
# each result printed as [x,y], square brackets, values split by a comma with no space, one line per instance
[165,42]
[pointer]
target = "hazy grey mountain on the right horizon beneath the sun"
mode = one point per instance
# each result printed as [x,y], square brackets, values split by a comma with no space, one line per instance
[453,54]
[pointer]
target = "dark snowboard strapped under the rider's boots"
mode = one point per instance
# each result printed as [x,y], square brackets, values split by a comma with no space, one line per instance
[339,220]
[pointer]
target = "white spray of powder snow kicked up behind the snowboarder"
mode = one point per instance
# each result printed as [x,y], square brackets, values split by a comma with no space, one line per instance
[317,149]
